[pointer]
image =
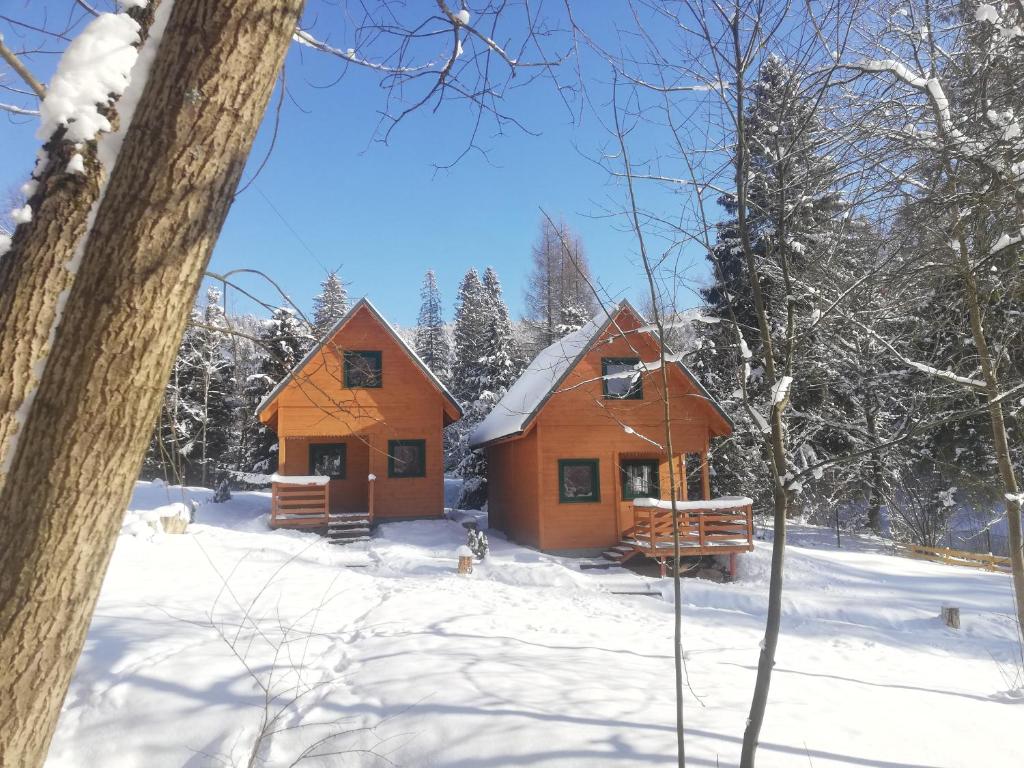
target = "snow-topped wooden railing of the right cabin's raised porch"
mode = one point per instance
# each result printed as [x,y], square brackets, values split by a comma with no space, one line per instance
[720,527]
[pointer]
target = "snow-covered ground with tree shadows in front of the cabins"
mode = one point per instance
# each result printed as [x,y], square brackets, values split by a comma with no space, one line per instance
[529,662]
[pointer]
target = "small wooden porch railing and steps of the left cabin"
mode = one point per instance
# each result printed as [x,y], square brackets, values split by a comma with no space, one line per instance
[305,503]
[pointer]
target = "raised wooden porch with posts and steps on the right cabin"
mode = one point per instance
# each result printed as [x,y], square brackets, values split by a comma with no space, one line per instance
[710,527]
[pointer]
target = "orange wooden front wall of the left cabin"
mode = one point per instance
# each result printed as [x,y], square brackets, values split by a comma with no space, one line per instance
[315,407]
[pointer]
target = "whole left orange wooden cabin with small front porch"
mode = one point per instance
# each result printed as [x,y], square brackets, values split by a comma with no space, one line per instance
[359,424]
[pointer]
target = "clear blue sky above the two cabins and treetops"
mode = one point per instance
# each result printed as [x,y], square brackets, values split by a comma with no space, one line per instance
[331,196]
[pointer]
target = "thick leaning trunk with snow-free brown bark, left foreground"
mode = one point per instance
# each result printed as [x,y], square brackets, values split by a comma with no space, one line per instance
[81,443]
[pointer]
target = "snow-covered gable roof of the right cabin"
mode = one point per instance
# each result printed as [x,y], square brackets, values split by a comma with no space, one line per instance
[518,410]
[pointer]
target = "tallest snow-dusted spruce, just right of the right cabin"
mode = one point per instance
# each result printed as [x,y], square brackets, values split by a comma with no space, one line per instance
[793,206]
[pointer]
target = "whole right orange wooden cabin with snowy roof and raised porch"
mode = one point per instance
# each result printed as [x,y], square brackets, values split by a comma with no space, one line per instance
[575,450]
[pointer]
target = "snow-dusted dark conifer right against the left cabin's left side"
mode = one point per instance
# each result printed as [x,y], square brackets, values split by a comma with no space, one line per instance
[284,340]
